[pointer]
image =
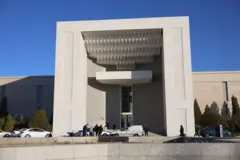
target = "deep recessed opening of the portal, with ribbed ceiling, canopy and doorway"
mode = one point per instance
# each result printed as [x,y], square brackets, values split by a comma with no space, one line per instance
[119,99]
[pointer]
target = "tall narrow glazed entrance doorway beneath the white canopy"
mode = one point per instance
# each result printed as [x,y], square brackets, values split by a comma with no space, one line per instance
[127,106]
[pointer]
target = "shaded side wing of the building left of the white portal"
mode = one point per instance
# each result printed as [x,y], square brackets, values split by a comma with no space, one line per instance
[27,93]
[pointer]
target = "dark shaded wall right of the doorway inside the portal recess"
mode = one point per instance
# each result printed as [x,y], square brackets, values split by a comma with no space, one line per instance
[148,102]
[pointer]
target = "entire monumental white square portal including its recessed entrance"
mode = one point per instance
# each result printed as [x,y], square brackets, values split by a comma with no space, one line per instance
[130,71]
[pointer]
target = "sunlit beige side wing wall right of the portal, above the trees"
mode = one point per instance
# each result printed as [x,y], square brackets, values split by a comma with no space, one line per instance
[216,87]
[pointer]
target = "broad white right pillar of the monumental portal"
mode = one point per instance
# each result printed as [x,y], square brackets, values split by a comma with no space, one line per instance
[178,81]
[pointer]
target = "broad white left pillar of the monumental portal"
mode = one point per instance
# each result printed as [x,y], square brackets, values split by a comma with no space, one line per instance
[70,82]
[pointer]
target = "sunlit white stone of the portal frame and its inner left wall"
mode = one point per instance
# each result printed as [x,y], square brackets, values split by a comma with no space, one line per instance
[76,102]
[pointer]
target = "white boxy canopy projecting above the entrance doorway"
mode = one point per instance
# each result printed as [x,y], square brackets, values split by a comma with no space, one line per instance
[124,77]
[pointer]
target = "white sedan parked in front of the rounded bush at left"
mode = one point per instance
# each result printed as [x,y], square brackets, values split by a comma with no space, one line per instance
[35,132]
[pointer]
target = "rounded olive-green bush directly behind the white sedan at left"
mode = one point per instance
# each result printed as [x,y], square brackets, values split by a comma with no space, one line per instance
[40,120]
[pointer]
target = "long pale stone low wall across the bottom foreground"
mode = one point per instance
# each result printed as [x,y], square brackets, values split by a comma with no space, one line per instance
[124,151]
